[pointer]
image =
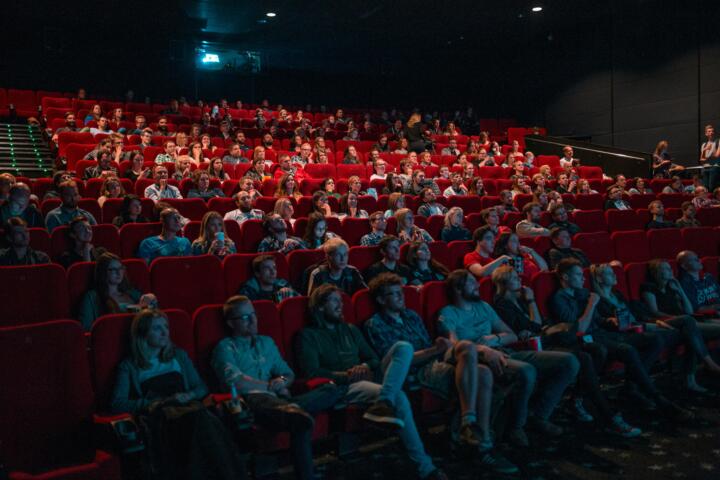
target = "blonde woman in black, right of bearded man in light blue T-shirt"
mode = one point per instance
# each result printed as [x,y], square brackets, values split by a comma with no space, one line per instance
[516,306]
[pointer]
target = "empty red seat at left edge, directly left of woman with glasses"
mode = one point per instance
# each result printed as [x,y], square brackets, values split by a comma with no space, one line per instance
[32,294]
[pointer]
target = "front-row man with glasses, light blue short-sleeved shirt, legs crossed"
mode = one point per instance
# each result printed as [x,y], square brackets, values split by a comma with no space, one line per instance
[251,365]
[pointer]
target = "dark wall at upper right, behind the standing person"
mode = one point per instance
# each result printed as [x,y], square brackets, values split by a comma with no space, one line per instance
[644,73]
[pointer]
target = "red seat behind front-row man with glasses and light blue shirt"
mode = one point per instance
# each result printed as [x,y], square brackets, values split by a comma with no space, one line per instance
[209,328]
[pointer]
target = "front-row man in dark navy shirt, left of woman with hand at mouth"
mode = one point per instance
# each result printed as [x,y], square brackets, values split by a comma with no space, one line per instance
[574,309]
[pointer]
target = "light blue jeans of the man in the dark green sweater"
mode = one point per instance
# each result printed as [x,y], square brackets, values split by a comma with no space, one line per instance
[395,366]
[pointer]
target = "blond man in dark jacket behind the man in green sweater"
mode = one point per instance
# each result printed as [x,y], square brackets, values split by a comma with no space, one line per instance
[336,270]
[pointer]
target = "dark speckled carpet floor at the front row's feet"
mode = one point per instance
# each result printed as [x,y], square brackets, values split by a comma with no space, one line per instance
[690,451]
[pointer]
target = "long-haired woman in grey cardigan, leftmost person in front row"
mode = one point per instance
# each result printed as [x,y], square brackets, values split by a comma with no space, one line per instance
[159,383]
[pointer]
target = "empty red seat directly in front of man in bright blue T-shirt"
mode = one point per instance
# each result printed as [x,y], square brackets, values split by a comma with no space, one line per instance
[187,282]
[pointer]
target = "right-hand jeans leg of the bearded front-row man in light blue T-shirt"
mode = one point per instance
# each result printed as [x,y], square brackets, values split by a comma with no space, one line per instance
[555,371]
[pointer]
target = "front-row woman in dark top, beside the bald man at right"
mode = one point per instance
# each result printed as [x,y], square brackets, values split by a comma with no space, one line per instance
[670,308]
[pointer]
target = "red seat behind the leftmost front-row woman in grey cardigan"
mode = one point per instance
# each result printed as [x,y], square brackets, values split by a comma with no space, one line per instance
[110,342]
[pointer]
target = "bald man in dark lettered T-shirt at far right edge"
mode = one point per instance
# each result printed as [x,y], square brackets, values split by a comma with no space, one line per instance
[702,289]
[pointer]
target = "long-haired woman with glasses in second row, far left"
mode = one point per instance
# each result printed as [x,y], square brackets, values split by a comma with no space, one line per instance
[111,293]
